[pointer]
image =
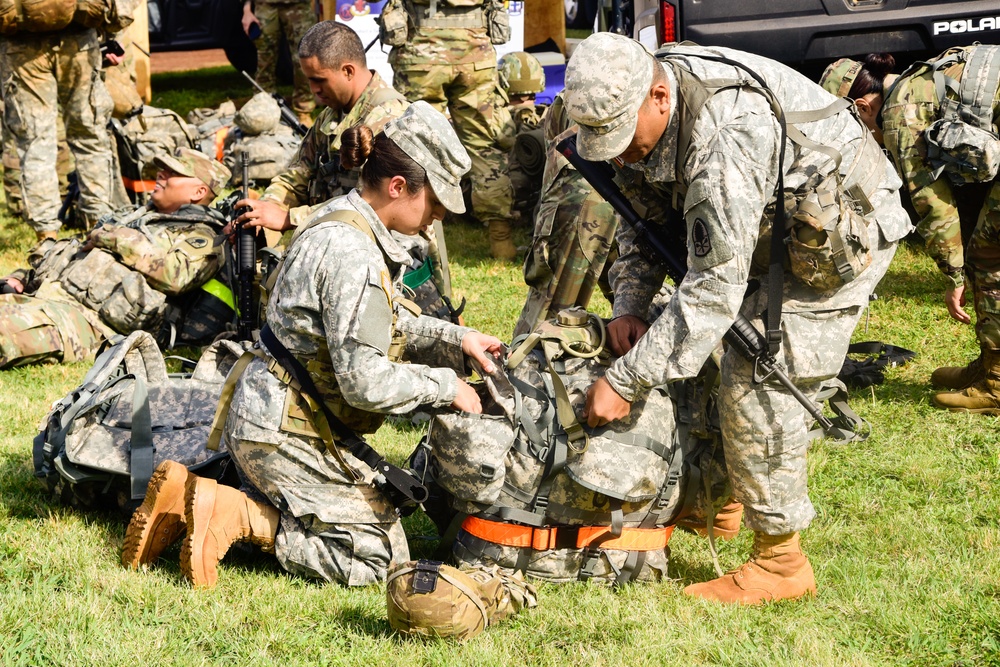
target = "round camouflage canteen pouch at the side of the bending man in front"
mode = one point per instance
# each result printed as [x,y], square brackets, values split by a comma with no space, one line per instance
[828,241]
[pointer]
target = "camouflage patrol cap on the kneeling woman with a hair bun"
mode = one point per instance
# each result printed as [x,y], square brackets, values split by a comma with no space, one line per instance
[423,133]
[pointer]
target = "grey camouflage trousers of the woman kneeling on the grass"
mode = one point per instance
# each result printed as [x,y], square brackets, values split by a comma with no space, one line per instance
[332,528]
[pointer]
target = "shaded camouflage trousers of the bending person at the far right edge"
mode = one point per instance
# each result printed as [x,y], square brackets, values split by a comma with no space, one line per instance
[982,270]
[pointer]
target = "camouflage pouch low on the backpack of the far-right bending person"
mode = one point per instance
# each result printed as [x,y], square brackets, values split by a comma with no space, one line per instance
[963,152]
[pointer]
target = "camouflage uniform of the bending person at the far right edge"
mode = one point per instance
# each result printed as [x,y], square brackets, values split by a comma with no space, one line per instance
[912,105]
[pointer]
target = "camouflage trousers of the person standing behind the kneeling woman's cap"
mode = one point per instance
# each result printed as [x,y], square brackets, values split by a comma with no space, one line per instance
[470,96]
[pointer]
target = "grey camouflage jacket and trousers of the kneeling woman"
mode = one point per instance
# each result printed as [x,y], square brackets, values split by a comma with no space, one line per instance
[329,308]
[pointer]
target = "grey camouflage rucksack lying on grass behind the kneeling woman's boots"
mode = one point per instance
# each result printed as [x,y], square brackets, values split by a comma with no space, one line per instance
[100,444]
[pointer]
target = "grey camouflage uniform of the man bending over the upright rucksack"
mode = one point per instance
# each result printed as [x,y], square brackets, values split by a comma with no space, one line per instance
[730,170]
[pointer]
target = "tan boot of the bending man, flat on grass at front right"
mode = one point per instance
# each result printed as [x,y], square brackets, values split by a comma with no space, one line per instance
[777,570]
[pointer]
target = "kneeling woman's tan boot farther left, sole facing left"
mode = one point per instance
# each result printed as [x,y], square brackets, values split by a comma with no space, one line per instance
[159,521]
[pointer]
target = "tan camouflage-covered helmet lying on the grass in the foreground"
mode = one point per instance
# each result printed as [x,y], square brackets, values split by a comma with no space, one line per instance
[429,599]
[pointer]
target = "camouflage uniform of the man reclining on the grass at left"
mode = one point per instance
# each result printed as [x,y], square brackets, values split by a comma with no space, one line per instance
[73,299]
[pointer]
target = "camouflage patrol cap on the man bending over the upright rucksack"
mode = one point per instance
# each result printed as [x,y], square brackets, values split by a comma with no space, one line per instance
[606,82]
